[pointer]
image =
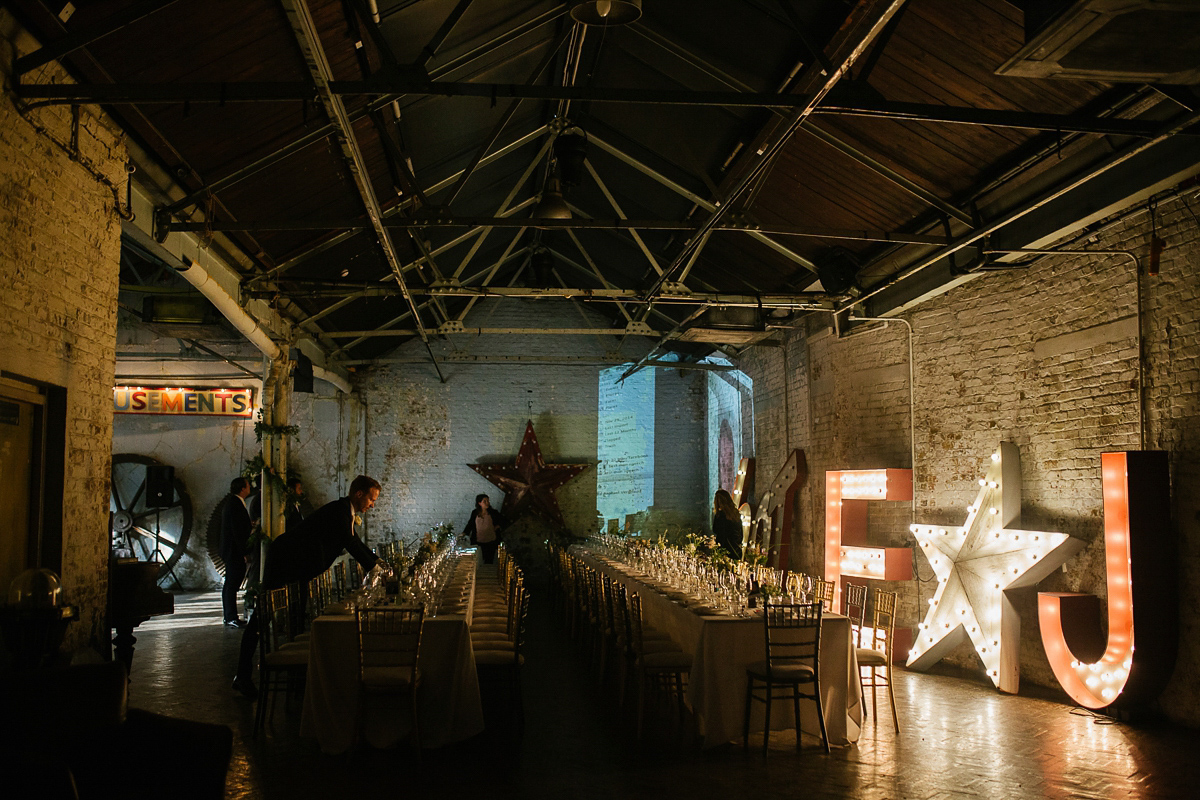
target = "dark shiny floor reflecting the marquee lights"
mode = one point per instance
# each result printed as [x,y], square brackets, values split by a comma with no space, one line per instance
[959,739]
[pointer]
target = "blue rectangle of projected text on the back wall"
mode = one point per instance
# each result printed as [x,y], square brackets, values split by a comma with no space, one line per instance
[626,443]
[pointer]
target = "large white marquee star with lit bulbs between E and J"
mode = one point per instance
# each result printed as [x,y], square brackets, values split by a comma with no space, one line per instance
[976,566]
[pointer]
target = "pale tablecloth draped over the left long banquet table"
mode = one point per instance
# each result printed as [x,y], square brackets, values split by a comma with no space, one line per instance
[448,701]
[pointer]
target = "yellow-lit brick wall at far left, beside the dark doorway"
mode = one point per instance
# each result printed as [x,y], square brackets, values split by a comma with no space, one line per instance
[59,266]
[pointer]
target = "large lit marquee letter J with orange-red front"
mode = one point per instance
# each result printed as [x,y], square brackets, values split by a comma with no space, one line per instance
[1141,567]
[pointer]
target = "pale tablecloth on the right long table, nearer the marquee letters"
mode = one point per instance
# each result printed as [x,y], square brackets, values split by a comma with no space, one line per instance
[723,647]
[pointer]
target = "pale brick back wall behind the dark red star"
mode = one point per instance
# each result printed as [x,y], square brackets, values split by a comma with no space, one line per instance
[422,434]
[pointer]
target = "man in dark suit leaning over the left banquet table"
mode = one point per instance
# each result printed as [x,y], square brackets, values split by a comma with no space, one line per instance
[301,555]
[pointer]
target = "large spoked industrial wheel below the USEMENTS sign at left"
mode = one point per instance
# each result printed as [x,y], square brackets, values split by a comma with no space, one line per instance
[147,534]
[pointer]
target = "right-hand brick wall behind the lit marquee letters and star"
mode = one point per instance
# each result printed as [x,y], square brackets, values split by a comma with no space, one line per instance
[1045,358]
